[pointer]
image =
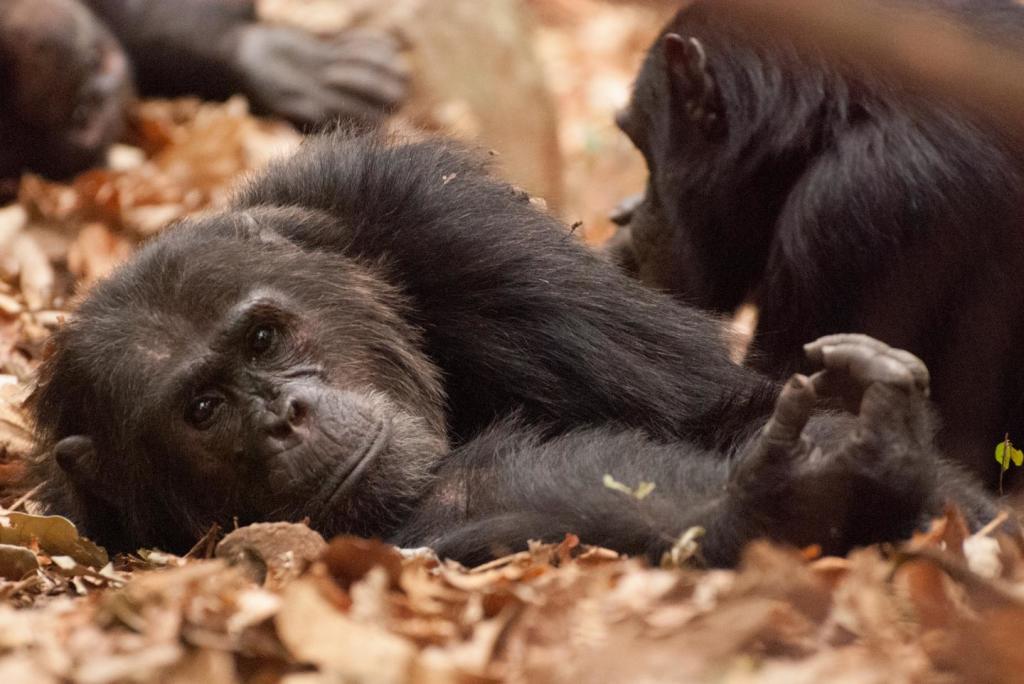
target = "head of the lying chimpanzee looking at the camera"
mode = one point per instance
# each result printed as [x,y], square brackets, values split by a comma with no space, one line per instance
[227,373]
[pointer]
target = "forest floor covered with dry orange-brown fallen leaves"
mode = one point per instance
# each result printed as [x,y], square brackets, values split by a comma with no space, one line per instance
[278,604]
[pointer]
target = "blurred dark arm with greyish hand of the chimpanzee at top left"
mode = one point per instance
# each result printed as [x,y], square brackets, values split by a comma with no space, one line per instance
[216,49]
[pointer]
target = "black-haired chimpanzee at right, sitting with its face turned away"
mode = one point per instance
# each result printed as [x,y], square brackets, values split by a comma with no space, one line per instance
[836,201]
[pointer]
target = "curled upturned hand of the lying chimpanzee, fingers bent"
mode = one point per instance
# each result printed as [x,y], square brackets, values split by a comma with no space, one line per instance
[839,484]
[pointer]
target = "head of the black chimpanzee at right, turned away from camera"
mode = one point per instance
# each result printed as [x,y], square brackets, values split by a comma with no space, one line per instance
[728,121]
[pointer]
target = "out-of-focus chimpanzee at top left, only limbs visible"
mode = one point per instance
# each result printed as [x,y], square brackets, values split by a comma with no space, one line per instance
[68,69]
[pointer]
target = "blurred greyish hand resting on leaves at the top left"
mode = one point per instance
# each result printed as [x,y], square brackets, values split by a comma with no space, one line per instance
[358,75]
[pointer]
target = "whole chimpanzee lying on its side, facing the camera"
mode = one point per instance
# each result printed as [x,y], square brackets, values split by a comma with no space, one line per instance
[387,340]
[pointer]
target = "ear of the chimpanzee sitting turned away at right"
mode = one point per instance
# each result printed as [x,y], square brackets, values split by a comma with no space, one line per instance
[691,73]
